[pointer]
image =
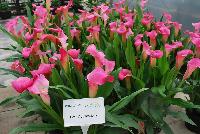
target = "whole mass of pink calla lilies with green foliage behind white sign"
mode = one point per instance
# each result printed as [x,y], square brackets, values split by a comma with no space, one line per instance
[125,56]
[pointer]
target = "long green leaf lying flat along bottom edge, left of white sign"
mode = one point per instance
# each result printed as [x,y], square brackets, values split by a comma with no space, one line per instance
[35,128]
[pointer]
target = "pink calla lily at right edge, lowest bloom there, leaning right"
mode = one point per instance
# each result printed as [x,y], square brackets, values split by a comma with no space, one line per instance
[192,65]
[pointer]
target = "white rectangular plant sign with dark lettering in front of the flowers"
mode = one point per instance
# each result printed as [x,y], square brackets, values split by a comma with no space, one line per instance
[83,112]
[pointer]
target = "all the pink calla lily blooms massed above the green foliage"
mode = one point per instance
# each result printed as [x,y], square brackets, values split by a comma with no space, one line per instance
[45,43]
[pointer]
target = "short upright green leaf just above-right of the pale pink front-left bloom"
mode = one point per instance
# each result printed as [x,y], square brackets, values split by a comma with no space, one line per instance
[56,77]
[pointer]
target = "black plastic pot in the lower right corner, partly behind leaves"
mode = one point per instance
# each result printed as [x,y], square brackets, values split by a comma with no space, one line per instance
[194,115]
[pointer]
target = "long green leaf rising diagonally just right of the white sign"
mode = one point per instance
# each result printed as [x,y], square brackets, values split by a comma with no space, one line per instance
[124,101]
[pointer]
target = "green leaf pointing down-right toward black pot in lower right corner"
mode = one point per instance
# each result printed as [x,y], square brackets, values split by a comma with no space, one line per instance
[182,116]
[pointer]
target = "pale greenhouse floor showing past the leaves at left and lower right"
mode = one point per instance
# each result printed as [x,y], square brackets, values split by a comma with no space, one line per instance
[9,116]
